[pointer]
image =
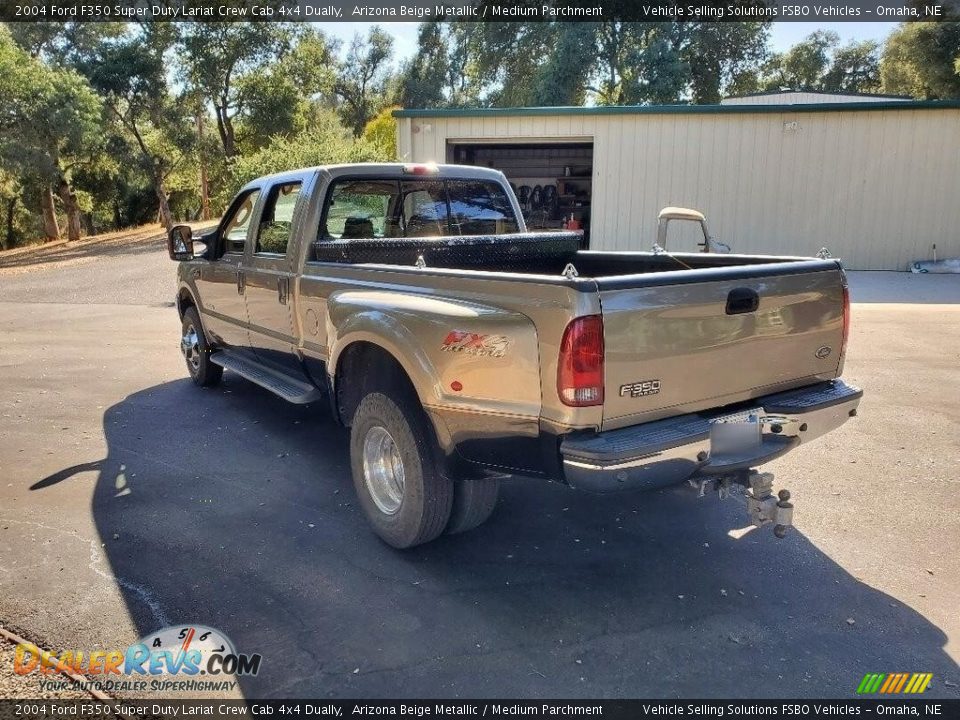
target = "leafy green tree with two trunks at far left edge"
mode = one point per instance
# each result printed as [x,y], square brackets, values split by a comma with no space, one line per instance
[49,125]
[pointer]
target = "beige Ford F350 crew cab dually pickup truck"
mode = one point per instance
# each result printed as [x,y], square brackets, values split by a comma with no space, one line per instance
[460,349]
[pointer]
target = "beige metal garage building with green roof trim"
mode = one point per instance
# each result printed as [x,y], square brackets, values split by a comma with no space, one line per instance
[876,182]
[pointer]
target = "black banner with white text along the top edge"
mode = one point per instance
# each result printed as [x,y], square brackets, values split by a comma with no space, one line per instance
[477,10]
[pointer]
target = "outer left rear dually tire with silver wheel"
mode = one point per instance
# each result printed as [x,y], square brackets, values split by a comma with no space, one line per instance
[402,492]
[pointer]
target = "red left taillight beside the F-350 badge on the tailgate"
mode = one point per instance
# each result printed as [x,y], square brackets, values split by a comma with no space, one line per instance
[580,366]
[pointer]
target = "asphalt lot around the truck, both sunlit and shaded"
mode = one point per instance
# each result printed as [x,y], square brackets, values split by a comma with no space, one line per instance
[129,500]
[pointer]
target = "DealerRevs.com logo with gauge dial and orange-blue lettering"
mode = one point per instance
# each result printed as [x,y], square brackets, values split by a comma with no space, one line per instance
[186,651]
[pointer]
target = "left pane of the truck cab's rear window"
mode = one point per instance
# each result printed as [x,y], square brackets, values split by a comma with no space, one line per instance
[360,209]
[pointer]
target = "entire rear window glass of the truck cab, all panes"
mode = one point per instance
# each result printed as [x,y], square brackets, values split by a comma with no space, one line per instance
[370,209]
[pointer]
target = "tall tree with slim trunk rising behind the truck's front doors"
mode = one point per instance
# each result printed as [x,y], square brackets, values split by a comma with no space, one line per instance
[216,55]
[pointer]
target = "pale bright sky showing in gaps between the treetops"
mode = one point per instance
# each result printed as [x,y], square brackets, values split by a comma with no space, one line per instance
[782,35]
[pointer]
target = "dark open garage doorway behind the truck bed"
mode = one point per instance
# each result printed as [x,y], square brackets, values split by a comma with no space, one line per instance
[553,180]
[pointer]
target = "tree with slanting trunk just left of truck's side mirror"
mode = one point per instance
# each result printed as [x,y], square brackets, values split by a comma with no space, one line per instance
[131,76]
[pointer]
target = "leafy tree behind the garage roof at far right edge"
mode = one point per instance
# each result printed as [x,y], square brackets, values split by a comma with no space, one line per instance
[923,60]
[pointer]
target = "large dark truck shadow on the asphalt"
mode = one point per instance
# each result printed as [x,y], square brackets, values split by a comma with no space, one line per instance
[233,509]
